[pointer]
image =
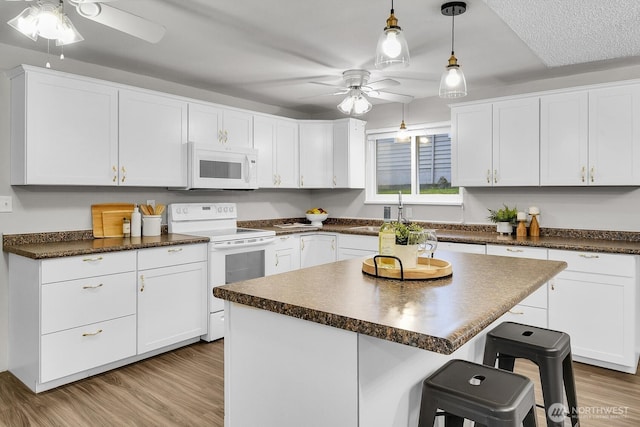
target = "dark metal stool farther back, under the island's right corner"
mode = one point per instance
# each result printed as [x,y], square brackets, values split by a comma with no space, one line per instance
[551,351]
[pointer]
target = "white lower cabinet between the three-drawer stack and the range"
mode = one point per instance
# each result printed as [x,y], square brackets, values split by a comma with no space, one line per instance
[172,300]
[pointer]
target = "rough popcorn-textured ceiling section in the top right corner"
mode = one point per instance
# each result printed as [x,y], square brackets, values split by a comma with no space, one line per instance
[564,32]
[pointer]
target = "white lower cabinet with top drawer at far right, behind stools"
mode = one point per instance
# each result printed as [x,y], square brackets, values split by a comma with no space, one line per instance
[595,301]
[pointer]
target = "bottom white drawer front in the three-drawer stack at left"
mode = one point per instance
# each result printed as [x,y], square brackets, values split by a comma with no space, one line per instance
[76,350]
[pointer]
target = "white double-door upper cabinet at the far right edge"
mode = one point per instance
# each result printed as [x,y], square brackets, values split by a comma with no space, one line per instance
[591,137]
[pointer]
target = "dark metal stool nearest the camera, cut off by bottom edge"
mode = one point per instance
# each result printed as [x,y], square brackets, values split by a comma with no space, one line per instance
[484,394]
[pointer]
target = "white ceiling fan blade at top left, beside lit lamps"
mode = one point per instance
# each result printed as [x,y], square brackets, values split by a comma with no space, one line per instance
[122,21]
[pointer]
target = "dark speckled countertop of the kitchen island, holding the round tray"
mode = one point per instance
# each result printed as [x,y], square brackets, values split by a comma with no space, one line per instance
[439,315]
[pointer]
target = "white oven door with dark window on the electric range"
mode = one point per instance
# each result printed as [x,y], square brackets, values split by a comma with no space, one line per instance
[231,263]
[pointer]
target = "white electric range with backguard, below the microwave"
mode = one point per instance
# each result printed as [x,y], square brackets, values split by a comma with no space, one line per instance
[235,254]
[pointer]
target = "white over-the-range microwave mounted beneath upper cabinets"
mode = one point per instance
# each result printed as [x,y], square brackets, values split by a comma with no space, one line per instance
[217,168]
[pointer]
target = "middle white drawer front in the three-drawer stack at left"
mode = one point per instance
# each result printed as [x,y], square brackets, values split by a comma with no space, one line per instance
[80,302]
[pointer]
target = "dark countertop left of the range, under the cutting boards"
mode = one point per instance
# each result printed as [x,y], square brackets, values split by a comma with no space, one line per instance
[62,248]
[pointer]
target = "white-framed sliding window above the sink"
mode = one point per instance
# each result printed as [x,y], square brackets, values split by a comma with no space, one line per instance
[418,166]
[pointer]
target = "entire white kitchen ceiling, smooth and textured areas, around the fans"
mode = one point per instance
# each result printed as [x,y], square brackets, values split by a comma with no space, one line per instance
[271,51]
